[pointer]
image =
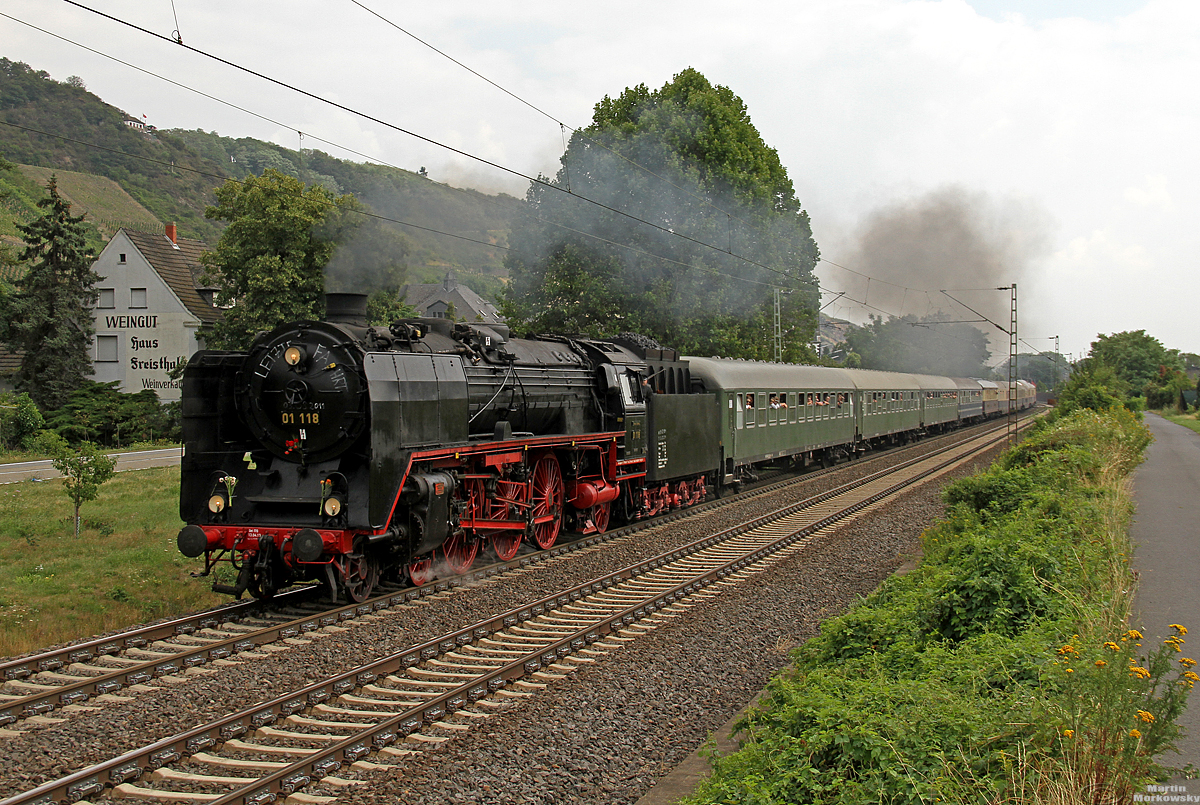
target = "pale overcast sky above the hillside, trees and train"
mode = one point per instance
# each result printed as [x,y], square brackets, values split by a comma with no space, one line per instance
[1058,137]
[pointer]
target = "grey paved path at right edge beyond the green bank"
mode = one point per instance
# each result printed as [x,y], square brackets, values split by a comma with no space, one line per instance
[1167,534]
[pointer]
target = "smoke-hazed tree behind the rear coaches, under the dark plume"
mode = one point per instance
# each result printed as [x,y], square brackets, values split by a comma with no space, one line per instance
[931,345]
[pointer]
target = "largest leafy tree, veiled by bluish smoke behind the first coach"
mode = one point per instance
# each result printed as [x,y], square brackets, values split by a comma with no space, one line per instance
[728,230]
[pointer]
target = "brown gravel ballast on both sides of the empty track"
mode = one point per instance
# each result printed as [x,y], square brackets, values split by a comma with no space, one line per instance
[603,735]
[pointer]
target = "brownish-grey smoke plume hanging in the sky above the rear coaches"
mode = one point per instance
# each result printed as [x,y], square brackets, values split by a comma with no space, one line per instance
[947,239]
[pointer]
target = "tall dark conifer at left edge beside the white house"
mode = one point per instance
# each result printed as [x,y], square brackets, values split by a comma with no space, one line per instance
[49,316]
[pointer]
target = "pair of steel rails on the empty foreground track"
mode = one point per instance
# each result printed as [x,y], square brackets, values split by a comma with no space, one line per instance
[323,762]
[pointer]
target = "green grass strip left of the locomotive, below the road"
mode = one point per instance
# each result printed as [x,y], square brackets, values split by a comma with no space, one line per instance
[124,568]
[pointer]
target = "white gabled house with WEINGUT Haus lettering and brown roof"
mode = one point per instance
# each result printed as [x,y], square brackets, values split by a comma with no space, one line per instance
[151,310]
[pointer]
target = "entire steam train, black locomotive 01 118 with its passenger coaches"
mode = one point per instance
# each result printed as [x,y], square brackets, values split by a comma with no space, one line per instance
[338,452]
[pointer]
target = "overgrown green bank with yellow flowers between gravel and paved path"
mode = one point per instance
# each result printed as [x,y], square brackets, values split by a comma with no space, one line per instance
[1004,669]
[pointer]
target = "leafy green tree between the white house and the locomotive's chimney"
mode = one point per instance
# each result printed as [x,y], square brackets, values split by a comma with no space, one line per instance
[271,260]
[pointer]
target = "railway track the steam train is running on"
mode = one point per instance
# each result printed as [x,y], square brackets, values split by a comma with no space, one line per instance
[115,668]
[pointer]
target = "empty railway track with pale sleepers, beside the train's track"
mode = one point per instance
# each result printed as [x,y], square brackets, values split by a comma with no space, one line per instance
[311,742]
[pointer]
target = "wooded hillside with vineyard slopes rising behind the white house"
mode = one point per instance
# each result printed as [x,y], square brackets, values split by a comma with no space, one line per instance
[173,176]
